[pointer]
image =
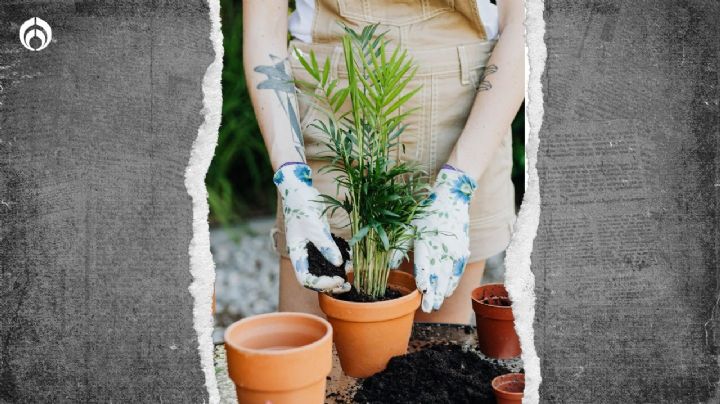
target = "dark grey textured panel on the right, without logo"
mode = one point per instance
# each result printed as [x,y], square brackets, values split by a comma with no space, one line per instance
[626,255]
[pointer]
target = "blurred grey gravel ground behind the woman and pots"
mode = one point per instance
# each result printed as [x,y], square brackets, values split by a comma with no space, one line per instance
[246,271]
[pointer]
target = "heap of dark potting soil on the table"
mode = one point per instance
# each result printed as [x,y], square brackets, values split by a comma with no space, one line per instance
[438,374]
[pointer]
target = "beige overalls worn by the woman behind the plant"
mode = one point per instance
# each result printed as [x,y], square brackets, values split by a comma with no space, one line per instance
[447,40]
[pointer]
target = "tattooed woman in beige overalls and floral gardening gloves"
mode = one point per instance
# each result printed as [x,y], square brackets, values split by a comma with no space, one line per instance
[470,56]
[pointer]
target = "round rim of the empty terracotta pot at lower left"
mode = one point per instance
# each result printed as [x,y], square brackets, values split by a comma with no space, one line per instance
[327,335]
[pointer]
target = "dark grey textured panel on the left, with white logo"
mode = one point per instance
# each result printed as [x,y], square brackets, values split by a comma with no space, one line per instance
[95,220]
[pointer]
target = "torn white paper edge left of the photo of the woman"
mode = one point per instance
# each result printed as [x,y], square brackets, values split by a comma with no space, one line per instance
[202,267]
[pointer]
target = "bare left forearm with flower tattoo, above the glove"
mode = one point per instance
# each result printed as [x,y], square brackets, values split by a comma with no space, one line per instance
[270,79]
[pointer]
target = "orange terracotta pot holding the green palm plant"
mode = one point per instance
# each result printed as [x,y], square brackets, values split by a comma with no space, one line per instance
[367,335]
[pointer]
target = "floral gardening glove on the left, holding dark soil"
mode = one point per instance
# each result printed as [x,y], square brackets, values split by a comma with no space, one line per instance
[305,222]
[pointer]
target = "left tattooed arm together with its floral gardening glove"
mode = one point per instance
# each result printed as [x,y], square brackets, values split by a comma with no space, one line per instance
[273,97]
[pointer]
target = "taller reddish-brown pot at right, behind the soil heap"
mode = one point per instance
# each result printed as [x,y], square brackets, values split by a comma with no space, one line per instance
[495,324]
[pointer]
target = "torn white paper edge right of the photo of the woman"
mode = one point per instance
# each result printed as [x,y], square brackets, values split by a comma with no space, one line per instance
[519,279]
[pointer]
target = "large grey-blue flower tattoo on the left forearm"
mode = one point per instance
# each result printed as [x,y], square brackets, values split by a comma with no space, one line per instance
[279,81]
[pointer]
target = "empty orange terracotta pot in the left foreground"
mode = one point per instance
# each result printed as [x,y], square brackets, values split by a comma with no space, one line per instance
[279,358]
